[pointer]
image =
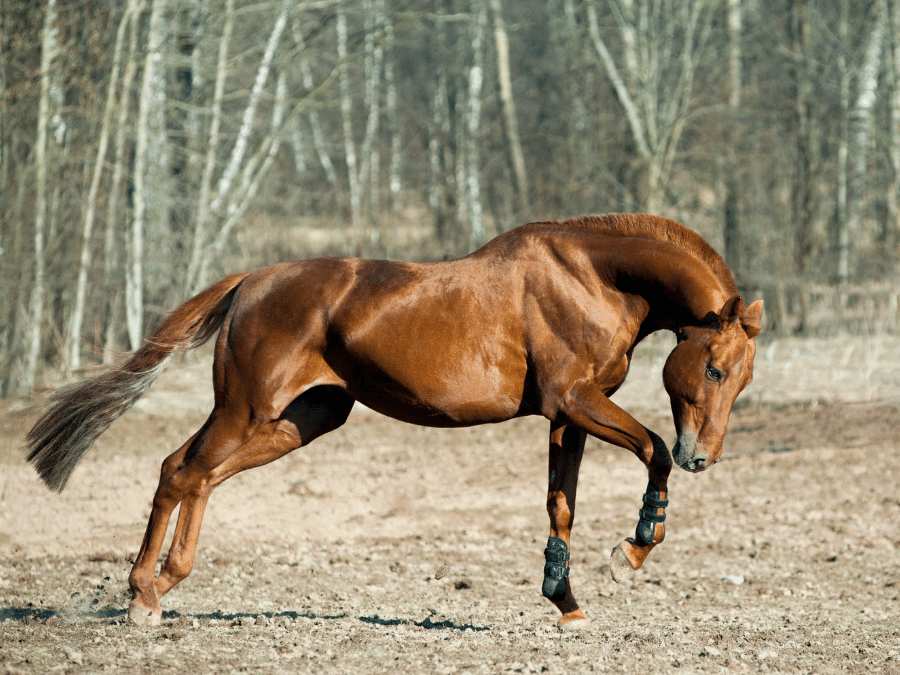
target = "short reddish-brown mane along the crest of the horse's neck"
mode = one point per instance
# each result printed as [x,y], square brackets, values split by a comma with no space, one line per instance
[660,229]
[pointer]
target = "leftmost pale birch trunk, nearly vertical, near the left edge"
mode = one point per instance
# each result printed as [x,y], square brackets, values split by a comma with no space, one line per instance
[49,51]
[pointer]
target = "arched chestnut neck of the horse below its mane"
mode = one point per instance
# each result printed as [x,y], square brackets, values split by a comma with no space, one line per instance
[680,288]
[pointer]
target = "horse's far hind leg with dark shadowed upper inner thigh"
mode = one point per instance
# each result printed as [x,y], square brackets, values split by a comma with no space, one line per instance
[316,412]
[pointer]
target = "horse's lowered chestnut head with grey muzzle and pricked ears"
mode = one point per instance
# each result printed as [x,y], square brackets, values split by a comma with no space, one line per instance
[709,367]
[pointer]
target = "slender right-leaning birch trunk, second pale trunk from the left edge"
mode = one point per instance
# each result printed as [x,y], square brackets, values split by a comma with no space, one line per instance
[74,337]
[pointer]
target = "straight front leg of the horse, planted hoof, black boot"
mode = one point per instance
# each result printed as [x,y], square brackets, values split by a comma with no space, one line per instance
[566,450]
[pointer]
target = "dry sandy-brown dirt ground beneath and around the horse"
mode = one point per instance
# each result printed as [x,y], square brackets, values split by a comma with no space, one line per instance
[783,558]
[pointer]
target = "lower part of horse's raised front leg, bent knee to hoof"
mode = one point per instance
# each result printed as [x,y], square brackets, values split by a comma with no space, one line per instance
[630,553]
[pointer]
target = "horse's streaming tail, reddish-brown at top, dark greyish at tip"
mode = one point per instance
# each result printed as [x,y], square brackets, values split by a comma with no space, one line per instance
[80,412]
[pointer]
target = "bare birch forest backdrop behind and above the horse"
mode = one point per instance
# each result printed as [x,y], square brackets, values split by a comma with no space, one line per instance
[148,147]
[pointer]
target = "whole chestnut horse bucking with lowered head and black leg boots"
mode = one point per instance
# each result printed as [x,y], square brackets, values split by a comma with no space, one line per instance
[541,321]
